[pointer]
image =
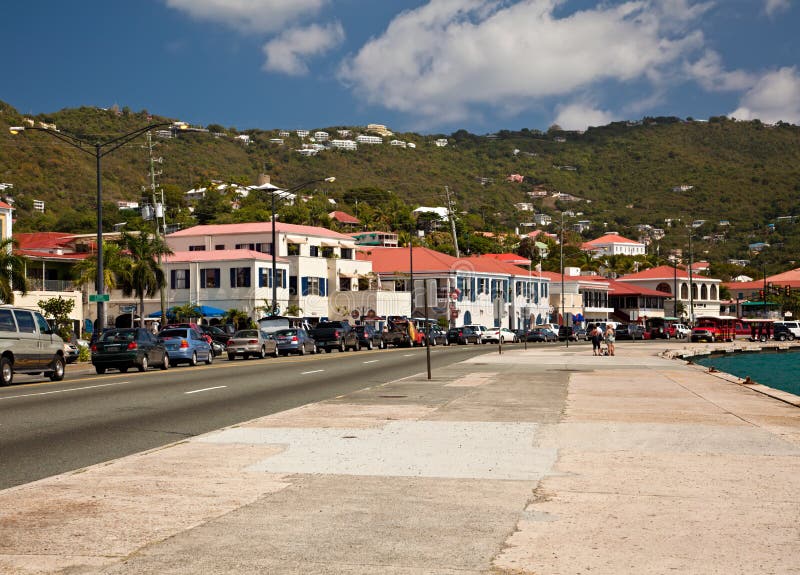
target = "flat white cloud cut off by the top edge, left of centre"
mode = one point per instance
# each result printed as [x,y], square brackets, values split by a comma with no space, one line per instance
[249,15]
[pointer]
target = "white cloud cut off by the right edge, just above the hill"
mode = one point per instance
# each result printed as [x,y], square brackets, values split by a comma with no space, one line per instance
[775,98]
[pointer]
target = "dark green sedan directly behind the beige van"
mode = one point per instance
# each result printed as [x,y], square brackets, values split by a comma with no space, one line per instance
[125,348]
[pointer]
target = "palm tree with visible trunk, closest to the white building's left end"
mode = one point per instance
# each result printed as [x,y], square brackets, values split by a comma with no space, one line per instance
[142,275]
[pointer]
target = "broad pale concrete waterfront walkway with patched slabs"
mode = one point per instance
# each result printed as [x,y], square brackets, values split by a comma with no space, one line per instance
[542,461]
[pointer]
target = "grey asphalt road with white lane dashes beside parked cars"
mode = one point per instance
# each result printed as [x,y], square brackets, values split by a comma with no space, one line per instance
[48,428]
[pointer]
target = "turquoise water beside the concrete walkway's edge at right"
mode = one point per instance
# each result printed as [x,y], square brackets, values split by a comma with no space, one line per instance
[779,370]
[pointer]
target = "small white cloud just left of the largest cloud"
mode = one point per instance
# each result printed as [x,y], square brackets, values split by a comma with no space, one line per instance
[287,53]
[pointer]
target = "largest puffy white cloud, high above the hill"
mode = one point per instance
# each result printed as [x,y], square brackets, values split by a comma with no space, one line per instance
[448,57]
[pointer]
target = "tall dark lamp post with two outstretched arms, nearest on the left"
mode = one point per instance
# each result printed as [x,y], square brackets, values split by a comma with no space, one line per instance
[98,149]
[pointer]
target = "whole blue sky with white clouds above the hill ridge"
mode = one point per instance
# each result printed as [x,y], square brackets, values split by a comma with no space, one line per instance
[428,66]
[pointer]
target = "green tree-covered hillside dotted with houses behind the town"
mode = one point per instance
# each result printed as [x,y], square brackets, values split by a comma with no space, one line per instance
[744,173]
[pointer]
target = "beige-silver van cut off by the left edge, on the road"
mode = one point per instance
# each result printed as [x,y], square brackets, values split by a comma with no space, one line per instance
[28,345]
